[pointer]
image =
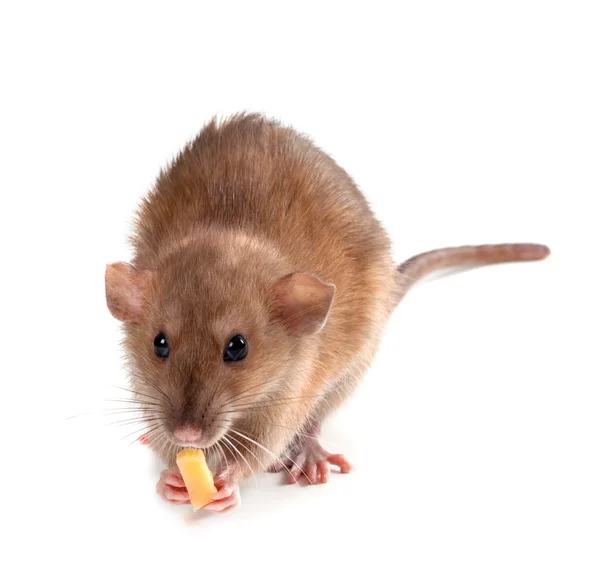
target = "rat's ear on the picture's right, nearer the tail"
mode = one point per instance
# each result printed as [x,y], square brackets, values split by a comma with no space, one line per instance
[303,302]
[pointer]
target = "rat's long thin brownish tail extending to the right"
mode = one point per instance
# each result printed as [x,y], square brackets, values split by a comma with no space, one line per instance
[421,265]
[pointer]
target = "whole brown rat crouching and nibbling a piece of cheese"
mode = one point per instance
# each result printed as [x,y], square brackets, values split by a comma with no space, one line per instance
[255,301]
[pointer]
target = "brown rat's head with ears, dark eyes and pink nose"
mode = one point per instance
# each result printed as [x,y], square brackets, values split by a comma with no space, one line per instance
[211,341]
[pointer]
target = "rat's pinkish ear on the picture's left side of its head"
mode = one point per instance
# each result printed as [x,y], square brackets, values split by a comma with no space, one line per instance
[125,289]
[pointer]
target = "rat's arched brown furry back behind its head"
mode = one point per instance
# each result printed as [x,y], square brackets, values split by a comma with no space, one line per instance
[253,176]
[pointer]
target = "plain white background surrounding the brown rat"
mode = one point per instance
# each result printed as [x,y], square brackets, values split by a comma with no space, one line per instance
[476,434]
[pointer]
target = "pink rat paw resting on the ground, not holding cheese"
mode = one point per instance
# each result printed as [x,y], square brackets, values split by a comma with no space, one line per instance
[312,462]
